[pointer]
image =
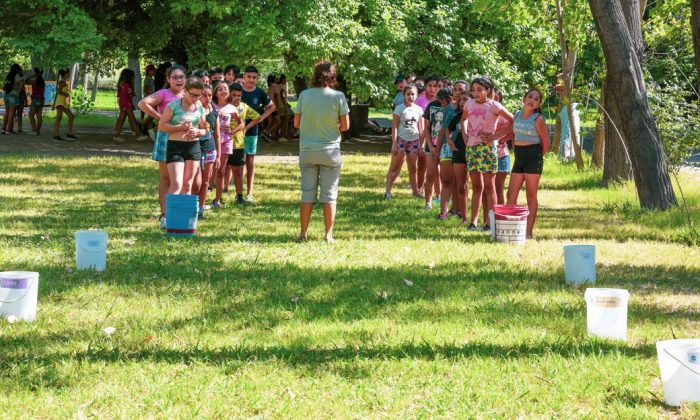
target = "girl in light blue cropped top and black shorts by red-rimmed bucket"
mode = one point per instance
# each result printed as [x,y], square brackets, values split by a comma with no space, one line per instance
[530,145]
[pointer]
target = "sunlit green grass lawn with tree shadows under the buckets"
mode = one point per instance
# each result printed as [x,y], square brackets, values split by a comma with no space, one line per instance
[404,316]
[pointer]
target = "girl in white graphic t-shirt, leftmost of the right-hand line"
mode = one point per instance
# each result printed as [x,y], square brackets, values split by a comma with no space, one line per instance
[406,131]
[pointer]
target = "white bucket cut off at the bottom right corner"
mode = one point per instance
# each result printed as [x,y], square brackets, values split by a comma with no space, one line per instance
[679,363]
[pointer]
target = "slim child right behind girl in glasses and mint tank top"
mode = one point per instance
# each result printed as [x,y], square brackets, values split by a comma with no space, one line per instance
[210,146]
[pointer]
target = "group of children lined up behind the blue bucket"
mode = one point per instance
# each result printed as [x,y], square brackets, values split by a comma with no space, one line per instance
[207,131]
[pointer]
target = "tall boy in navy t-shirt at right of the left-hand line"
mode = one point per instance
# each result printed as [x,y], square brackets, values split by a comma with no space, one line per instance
[257,99]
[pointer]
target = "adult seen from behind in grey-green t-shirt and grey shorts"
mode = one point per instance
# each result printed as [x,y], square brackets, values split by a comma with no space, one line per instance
[322,113]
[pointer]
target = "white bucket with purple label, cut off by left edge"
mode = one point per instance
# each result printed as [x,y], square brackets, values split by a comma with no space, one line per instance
[18,294]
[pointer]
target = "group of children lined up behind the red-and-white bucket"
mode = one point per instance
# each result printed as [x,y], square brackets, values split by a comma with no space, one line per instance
[451,134]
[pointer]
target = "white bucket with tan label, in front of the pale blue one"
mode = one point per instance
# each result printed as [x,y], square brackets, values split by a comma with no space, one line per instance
[606,312]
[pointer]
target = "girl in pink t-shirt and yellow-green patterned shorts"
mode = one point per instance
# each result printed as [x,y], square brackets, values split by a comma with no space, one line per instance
[480,116]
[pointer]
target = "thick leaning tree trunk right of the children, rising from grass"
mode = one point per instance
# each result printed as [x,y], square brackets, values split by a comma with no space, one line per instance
[624,72]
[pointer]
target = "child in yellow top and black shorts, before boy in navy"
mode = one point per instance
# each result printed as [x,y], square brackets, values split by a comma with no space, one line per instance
[238,129]
